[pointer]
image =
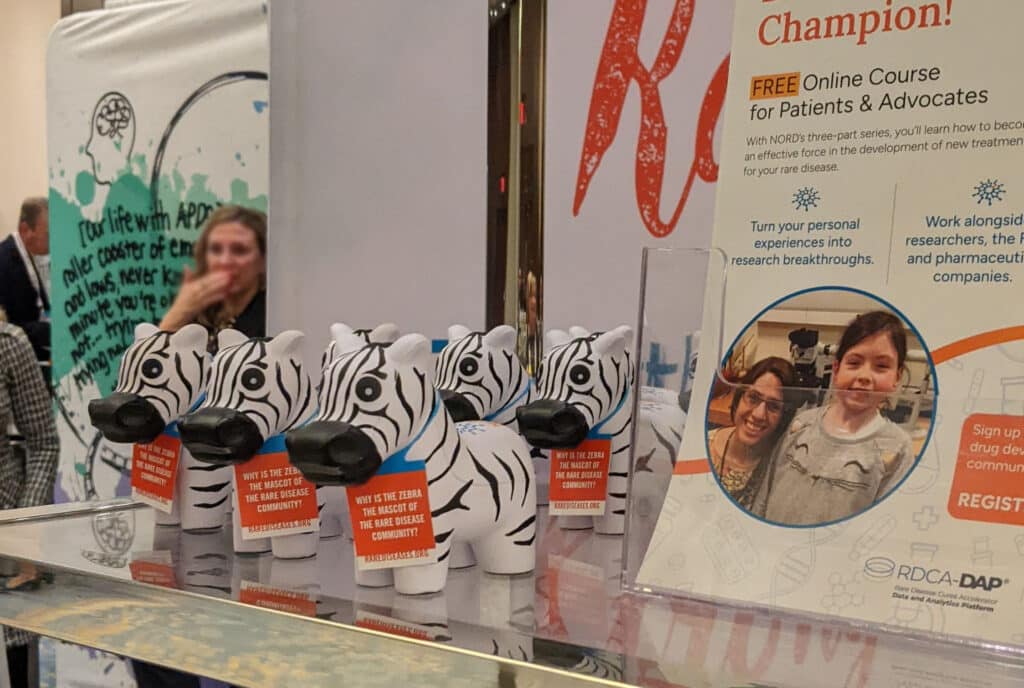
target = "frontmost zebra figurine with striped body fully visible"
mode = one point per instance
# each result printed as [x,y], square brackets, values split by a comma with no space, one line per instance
[377,403]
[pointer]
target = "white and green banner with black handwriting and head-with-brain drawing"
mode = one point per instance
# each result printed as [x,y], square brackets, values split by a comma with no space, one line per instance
[157,114]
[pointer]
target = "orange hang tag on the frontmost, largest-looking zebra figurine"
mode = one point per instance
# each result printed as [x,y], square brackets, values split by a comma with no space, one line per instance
[392,524]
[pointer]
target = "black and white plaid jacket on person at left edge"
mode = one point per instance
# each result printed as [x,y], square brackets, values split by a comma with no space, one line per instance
[26,402]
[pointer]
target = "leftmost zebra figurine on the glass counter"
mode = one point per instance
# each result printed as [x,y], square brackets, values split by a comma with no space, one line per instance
[162,377]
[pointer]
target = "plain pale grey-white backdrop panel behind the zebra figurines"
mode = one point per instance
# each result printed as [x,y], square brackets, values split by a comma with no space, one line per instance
[379,165]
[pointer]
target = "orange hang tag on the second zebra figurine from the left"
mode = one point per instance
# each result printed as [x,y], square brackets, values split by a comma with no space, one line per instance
[274,498]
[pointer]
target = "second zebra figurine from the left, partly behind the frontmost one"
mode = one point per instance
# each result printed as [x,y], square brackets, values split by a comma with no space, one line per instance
[259,391]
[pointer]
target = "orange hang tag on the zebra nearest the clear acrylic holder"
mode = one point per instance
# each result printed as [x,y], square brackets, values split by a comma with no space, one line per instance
[580,479]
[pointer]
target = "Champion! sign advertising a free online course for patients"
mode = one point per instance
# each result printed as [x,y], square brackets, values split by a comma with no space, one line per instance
[865,428]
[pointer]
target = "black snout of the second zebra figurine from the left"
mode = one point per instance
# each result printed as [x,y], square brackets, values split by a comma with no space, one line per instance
[221,437]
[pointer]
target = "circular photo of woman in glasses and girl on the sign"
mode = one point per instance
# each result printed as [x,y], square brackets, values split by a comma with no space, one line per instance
[822,408]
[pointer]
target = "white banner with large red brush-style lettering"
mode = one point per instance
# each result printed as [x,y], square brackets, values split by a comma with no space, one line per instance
[634,94]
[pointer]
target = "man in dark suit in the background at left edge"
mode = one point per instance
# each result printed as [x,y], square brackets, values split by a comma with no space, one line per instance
[25,276]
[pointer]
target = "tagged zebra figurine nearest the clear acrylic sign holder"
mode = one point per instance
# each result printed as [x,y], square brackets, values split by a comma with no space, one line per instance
[585,385]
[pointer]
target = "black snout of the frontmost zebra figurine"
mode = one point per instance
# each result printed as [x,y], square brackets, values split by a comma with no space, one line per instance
[331,453]
